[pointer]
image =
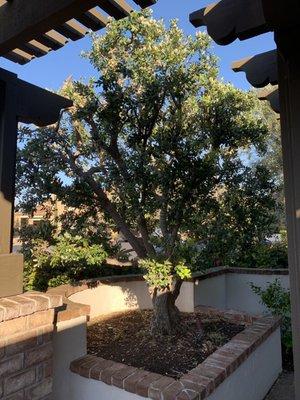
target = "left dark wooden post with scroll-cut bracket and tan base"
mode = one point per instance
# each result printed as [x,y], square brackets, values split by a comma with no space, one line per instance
[19,101]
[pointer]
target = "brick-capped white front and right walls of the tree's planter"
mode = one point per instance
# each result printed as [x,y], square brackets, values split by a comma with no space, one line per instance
[242,360]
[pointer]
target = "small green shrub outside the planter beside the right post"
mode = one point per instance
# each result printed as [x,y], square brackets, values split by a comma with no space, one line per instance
[277,300]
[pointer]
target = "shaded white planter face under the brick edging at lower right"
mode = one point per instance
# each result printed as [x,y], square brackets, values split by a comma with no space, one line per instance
[255,377]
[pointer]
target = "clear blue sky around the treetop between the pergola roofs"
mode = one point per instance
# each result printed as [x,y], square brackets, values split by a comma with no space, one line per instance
[52,70]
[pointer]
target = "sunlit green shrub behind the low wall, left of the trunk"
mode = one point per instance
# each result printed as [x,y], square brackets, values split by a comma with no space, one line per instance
[70,259]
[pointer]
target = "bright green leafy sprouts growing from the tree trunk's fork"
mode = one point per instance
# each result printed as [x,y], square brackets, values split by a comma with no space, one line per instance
[160,274]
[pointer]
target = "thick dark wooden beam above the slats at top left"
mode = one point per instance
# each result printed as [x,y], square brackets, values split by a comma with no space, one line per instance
[24,20]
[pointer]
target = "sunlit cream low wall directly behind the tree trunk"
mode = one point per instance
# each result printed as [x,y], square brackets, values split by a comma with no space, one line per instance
[122,296]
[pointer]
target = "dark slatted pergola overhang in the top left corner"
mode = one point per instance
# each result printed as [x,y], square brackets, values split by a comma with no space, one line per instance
[32,28]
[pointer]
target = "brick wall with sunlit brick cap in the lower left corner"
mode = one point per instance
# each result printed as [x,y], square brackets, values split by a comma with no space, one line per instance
[26,351]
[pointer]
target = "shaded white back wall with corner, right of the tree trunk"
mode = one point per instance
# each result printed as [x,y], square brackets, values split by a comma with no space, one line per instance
[232,291]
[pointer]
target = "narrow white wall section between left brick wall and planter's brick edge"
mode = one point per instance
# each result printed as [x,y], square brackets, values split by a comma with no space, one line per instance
[69,343]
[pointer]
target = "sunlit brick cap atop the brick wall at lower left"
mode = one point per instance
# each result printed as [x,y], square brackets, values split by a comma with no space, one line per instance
[27,303]
